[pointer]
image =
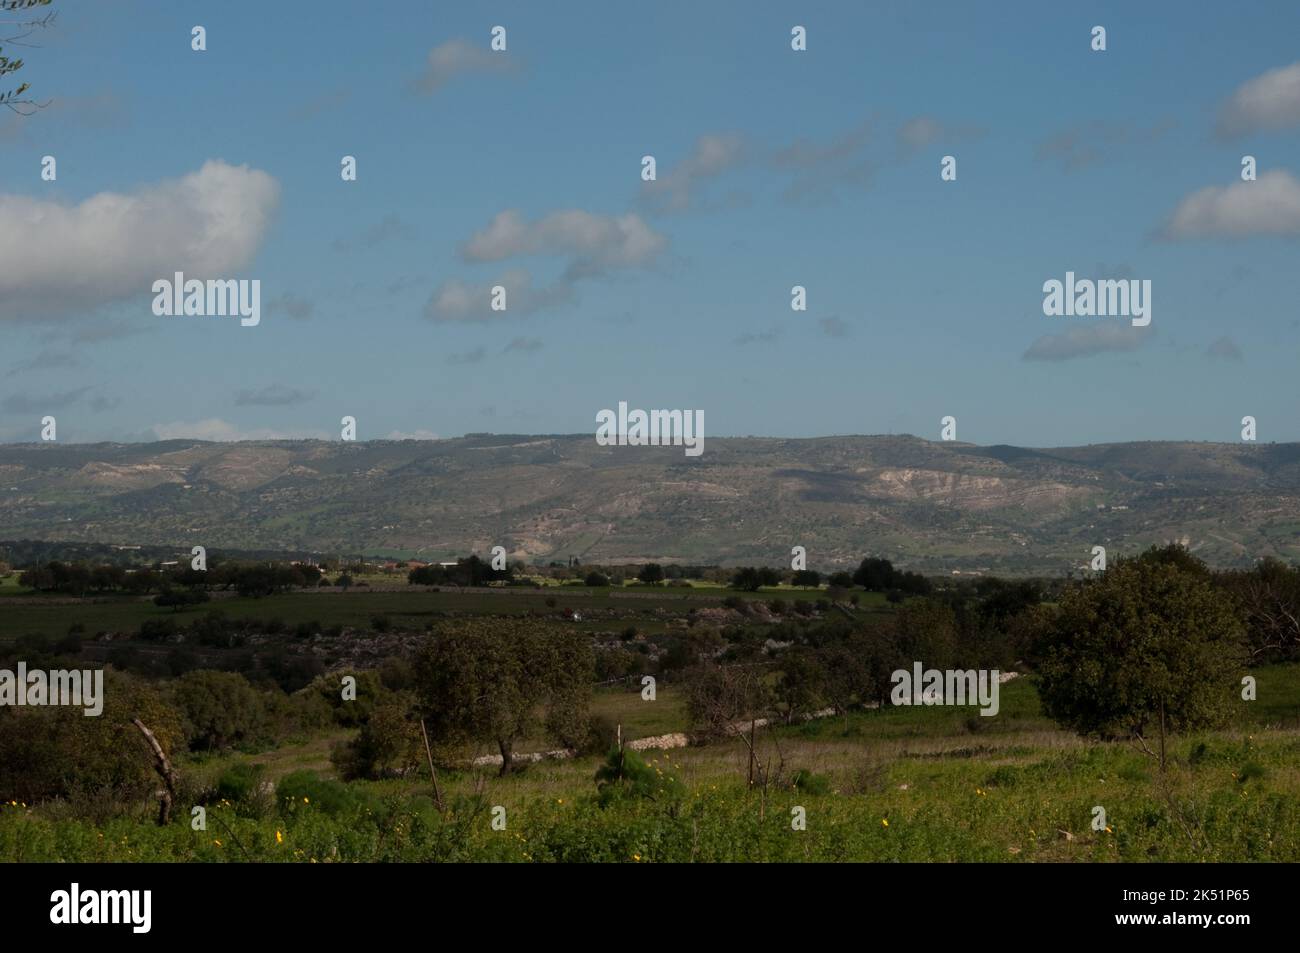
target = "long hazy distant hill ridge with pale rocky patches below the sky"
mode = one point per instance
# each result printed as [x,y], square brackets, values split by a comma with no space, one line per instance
[929,506]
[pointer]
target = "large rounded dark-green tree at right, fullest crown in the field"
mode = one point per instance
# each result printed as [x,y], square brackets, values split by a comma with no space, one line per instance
[1150,646]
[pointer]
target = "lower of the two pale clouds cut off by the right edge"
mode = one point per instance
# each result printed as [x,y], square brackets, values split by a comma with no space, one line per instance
[1269,206]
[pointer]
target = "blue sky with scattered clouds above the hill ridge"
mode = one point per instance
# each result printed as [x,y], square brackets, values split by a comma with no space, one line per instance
[777,168]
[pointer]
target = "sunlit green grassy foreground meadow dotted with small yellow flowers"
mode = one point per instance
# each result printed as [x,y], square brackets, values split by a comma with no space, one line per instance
[904,785]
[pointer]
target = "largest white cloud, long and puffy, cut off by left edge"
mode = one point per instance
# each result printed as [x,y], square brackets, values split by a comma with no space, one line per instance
[60,258]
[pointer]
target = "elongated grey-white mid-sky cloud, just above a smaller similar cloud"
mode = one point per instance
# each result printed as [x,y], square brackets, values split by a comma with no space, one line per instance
[595,244]
